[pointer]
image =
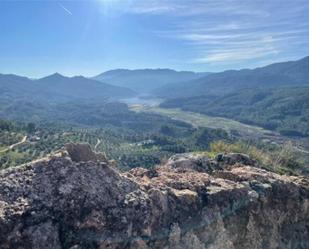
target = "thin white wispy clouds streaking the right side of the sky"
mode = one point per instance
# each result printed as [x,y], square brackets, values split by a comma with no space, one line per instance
[230,30]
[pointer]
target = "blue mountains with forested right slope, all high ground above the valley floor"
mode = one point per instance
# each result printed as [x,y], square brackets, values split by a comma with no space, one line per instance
[218,94]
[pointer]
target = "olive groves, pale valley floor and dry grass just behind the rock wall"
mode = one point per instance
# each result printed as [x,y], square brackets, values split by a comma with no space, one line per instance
[142,136]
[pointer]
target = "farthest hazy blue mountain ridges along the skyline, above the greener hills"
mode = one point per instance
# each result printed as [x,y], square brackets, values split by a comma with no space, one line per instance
[165,83]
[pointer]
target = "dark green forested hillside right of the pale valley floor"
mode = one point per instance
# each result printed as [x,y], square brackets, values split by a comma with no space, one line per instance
[285,109]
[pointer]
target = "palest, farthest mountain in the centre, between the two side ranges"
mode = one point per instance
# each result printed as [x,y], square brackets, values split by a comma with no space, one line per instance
[146,80]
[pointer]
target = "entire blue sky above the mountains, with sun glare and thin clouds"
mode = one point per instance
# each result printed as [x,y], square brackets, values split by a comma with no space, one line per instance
[38,38]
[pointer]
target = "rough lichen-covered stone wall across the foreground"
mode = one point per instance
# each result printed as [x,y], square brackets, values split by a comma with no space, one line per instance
[191,202]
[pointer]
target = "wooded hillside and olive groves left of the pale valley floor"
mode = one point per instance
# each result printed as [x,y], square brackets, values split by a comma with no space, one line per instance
[132,139]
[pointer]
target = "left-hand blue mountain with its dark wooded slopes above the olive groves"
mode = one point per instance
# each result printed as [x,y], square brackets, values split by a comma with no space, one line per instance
[55,97]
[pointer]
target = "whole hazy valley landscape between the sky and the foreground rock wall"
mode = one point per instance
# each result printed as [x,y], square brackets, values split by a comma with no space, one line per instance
[134,125]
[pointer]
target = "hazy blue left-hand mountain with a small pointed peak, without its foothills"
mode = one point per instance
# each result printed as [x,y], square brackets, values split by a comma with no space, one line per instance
[57,87]
